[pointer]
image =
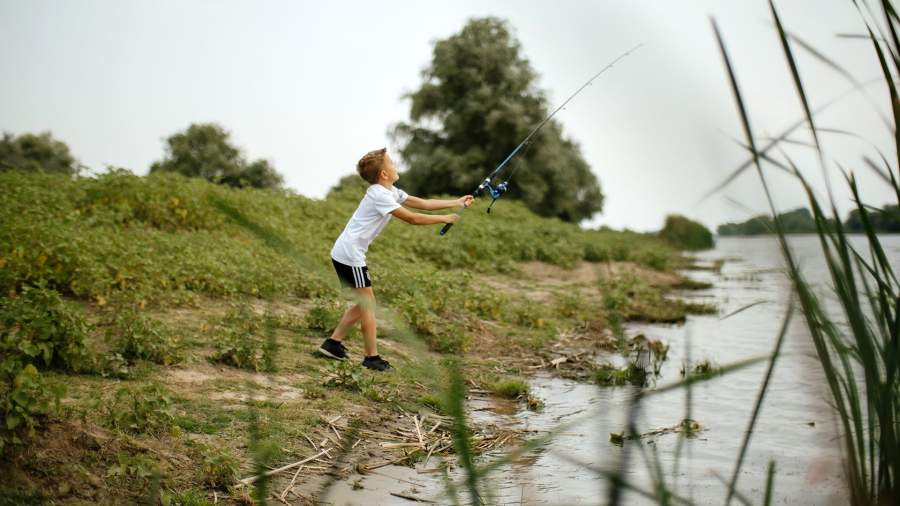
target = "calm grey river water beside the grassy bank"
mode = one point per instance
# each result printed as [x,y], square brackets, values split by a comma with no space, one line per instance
[796,428]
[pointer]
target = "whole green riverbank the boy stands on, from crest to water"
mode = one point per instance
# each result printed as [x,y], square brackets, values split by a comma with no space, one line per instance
[155,345]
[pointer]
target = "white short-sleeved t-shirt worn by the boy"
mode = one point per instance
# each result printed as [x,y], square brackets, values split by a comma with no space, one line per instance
[371,216]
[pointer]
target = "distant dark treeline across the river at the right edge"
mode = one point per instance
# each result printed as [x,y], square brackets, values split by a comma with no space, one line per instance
[800,221]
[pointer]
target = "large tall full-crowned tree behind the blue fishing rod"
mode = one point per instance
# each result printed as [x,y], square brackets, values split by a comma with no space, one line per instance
[477,102]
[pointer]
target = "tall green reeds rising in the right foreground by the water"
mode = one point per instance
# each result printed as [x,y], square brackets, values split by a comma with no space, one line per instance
[858,348]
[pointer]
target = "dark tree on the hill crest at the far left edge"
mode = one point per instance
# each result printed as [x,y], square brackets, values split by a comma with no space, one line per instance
[39,152]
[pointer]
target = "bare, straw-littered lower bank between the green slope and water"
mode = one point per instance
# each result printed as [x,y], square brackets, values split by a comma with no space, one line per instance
[190,422]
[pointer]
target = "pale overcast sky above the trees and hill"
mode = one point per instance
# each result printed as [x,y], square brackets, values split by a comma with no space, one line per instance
[312,86]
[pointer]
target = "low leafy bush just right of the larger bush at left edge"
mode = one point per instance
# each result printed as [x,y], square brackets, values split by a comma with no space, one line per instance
[139,337]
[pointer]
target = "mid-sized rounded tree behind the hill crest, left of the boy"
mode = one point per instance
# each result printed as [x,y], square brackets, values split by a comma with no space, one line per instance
[205,150]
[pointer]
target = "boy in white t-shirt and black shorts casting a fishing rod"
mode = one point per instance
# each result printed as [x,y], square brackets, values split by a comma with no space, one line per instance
[382,200]
